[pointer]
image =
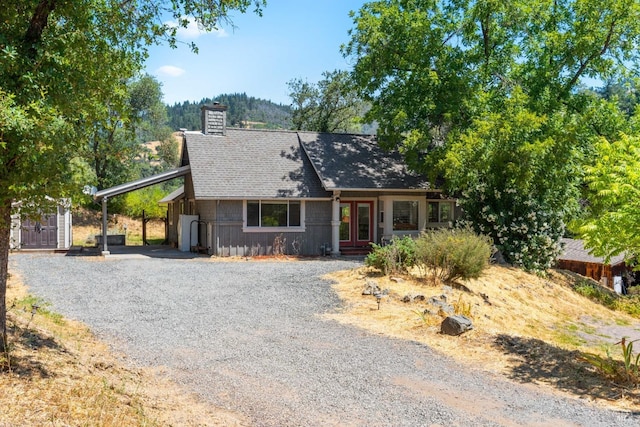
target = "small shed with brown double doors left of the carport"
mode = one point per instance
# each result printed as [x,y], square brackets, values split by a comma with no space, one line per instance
[52,230]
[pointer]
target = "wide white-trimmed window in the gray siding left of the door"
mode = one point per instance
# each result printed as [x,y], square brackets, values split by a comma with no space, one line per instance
[273,213]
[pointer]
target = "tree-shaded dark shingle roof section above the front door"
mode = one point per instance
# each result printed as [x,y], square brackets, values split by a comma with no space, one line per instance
[345,161]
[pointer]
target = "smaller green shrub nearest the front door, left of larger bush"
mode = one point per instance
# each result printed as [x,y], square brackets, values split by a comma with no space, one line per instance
[396,257]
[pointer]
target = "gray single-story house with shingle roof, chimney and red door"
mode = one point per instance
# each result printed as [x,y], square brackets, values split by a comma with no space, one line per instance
[255,192]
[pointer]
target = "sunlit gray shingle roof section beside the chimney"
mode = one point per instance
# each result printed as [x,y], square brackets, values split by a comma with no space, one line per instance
[251,164]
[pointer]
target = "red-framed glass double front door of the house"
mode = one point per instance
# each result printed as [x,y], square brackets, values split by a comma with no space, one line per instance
[356,223]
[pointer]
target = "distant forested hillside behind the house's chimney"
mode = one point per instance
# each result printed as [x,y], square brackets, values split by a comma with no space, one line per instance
[244,111]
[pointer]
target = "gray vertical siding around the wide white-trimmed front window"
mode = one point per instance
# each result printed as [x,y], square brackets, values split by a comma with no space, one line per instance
[228,238]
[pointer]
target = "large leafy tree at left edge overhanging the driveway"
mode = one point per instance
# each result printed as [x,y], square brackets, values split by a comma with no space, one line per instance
[58,59]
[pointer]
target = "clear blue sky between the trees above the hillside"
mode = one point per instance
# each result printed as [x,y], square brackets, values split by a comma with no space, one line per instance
[293,39]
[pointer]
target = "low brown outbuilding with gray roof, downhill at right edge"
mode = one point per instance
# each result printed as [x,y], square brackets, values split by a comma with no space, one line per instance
[577,259]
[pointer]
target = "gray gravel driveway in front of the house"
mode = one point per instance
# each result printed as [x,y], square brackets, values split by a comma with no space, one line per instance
[247,336]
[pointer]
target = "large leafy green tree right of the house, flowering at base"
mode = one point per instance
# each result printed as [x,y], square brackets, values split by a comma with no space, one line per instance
[487,94]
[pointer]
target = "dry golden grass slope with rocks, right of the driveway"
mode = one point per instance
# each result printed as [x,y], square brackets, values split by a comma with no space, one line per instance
[528,328]
